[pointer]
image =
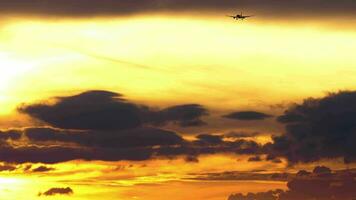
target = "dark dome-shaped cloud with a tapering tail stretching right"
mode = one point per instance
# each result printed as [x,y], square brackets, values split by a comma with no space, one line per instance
[104,110]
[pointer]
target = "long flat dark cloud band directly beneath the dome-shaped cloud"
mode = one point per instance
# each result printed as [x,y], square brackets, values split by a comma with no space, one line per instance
[49,145]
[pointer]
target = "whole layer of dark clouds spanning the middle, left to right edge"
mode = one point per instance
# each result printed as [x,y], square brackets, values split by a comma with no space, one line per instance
[102,125]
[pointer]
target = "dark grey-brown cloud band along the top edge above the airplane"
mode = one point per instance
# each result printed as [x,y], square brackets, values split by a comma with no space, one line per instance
[82,8]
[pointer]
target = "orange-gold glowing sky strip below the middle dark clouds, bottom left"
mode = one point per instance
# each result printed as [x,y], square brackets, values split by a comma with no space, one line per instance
[148,180]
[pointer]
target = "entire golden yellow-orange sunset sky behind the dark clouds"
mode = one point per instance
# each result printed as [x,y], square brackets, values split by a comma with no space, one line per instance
[163,58]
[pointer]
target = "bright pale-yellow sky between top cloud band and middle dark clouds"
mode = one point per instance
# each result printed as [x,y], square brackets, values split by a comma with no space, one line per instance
[227,63]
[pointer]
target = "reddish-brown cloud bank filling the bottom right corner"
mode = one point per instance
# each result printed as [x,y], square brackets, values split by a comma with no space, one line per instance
[309,186]
